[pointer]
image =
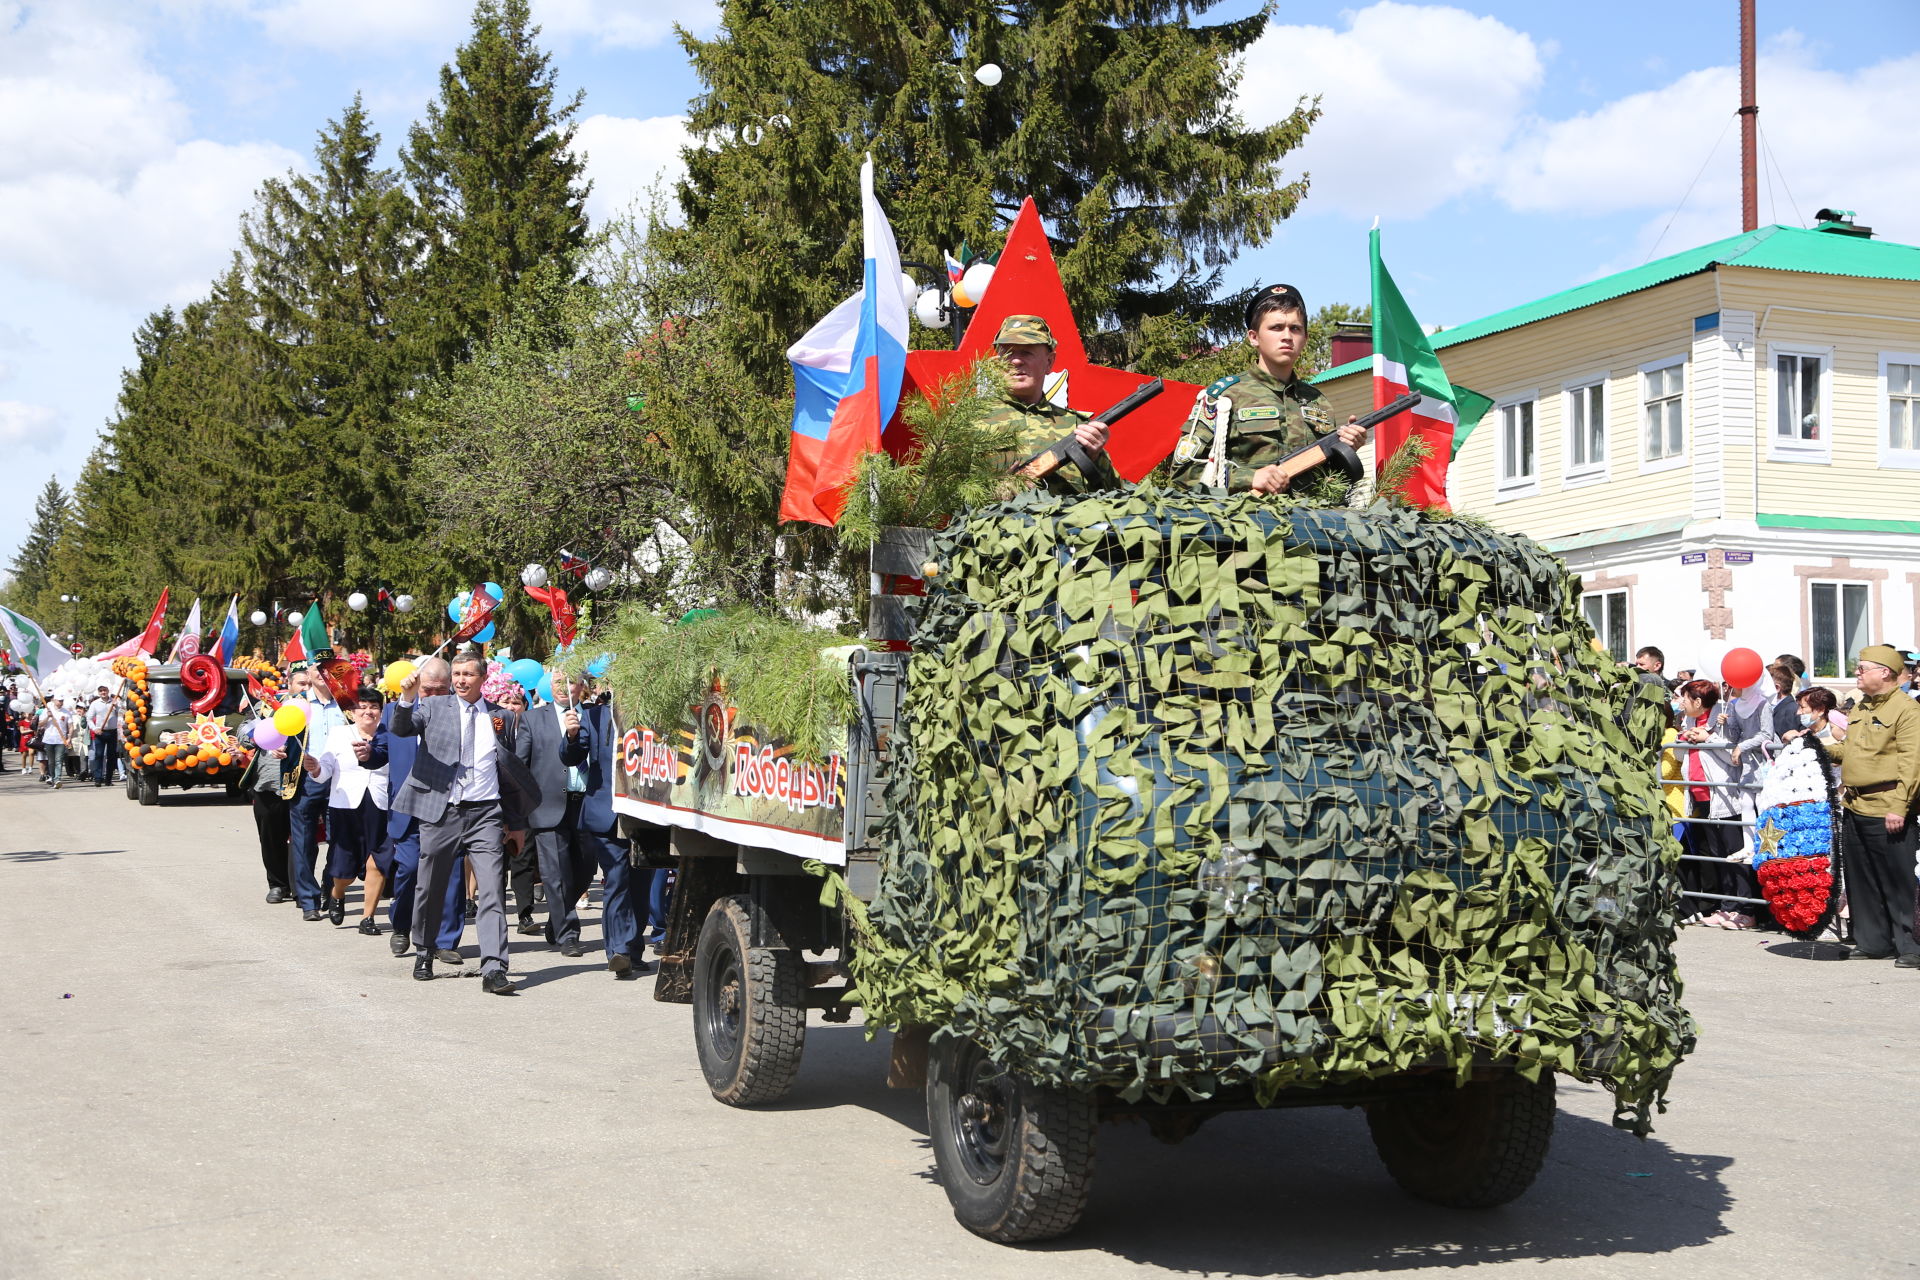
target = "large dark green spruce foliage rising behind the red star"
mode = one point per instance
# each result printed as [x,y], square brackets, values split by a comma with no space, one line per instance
[1115,116]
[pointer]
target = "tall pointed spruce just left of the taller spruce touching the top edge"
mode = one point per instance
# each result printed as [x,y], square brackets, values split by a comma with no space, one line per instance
[333,272]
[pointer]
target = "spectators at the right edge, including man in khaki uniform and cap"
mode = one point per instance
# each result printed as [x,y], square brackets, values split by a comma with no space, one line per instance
[1727,742]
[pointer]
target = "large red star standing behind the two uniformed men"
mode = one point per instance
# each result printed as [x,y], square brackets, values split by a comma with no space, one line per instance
[1028,283]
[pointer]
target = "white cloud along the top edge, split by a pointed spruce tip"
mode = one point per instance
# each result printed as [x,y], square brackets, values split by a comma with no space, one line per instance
[352,26]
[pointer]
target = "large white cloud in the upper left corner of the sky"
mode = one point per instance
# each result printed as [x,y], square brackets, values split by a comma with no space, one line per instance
[99,189]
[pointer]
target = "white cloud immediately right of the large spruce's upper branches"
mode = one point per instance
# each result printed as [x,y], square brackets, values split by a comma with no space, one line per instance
[1418,103]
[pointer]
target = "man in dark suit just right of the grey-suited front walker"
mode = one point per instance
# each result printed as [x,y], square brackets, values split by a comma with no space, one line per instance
[554,753]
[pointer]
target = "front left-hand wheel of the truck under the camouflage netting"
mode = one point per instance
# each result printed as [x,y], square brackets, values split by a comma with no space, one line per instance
[1017,1158]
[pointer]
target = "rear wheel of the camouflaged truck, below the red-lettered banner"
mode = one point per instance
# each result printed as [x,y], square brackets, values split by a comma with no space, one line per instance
[750,1007]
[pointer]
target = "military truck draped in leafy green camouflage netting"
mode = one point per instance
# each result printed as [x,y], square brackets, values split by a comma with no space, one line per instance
[1184,805]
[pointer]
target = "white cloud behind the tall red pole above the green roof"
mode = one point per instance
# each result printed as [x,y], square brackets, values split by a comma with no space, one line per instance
[1836,139]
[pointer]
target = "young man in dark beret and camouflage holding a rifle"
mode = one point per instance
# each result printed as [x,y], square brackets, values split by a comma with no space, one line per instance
[1268,414]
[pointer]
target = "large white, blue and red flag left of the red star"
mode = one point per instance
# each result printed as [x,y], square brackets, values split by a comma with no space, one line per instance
[848,377]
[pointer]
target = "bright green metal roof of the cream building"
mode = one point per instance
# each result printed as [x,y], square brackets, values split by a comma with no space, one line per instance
[1771,249]
